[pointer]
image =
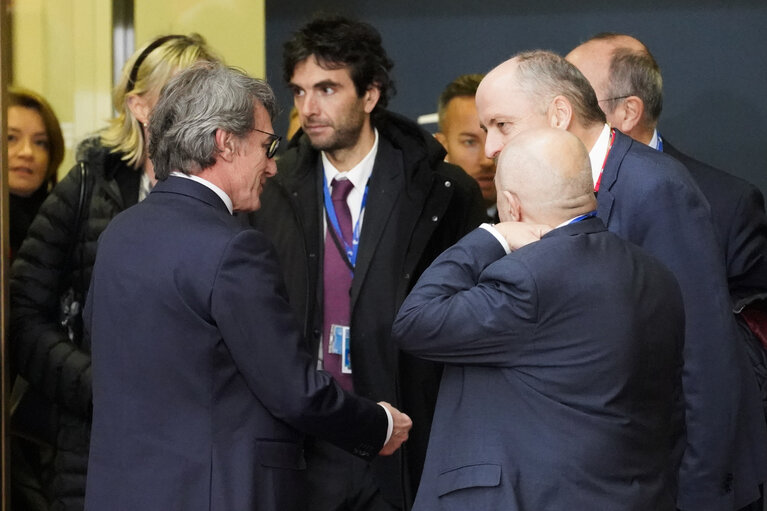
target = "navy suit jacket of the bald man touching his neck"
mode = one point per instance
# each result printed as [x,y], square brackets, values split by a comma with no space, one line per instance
[562,382]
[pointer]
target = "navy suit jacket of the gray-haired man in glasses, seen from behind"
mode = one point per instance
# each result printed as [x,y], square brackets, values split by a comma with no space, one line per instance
[201,379]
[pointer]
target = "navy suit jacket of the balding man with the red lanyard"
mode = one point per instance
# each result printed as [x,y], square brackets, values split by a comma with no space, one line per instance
[650,199]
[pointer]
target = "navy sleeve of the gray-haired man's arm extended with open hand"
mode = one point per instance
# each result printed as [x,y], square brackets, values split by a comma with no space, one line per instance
[251,310]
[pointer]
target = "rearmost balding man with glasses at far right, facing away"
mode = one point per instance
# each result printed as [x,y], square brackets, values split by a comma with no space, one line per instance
[627,77]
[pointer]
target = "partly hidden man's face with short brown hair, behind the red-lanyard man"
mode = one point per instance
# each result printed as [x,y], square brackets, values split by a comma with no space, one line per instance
[463,138]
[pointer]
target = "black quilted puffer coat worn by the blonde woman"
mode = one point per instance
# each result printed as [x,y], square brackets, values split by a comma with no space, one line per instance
[54,365]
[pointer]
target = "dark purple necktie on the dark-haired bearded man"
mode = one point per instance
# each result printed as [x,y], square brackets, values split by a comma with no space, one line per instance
[337,281]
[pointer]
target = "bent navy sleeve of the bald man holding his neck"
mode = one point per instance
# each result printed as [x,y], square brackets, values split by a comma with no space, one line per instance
[461,311]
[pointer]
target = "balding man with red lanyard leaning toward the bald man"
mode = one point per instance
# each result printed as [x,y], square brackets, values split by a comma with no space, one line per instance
[650,199]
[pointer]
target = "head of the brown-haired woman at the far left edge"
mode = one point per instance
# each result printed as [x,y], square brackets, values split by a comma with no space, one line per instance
[35,151]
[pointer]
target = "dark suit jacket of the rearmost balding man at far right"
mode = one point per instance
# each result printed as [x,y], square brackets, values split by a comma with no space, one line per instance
[737,210]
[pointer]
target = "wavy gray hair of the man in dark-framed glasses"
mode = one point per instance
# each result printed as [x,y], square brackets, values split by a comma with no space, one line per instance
[192,106]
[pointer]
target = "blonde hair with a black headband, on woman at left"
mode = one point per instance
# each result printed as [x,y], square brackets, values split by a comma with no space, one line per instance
[156,65]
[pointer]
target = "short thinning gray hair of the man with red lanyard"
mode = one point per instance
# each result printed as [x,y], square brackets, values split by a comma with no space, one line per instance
[543,75]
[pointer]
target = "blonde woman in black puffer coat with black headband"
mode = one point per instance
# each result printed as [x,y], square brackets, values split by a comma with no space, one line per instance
[51,273]
